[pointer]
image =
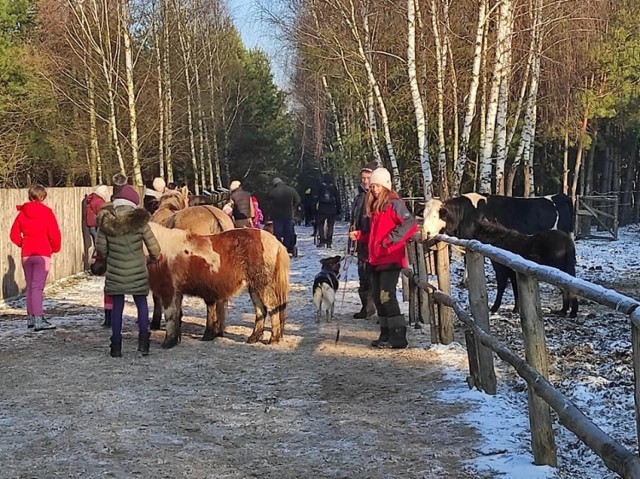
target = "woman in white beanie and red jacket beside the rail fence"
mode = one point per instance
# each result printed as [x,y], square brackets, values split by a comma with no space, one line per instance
[390,226]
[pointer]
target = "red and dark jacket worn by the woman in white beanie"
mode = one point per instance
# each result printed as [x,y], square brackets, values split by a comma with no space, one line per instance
[389,230]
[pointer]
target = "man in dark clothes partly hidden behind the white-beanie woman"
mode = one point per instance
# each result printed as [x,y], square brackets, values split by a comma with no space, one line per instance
[360,222]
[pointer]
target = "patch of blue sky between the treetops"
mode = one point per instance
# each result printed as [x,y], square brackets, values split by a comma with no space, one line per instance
[255,32]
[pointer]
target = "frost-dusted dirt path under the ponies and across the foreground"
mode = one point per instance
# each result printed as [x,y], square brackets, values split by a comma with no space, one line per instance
[305,408]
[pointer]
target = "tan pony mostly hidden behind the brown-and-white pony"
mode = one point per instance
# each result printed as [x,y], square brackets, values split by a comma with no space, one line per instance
[173,212]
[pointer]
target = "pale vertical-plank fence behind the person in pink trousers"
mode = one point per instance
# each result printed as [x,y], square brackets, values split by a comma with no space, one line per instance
[66,203]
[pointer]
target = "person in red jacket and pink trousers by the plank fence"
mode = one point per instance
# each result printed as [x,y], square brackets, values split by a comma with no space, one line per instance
[35,231]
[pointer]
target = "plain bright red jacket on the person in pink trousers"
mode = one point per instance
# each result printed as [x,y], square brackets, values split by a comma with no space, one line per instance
[35,230]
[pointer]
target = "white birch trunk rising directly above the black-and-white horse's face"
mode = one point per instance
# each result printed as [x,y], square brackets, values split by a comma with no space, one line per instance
[421,124]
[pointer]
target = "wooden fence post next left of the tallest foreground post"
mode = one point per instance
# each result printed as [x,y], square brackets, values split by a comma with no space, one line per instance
[480,312]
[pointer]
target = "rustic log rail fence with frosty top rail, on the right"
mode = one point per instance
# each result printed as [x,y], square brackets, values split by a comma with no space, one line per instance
[534,368]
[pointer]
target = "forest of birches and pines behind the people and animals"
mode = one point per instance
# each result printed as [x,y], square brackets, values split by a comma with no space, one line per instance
[523,97]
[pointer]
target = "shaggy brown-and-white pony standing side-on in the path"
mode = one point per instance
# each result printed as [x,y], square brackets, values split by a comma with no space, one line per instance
[217,268]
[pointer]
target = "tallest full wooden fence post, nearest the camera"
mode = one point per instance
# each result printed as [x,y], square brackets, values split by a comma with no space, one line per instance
[542,439]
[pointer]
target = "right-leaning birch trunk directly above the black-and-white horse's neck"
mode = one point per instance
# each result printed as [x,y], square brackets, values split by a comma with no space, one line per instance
[478,55]
